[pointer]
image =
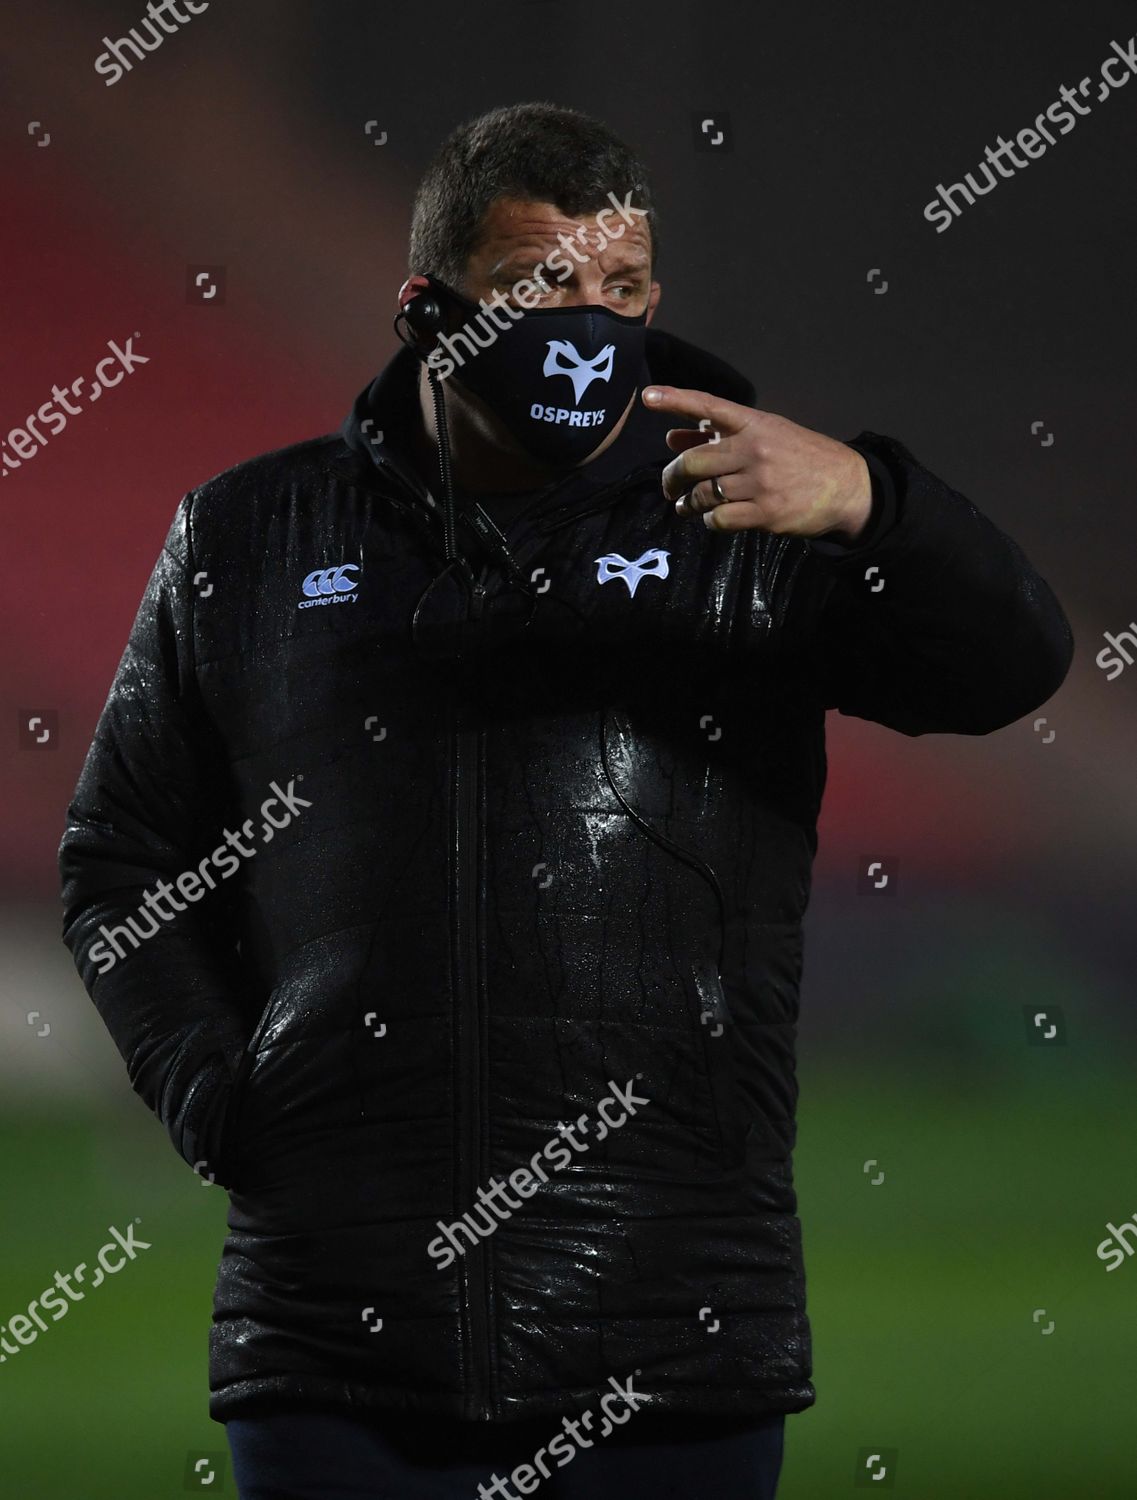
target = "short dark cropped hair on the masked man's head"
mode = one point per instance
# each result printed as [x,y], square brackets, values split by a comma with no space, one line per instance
[536,152]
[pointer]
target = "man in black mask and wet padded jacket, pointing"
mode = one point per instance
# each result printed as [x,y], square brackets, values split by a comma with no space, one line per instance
[488,1025]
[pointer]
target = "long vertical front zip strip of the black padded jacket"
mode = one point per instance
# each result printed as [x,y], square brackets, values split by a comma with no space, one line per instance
[470,1051]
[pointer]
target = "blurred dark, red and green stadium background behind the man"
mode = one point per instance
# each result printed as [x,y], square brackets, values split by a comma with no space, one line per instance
[241,143]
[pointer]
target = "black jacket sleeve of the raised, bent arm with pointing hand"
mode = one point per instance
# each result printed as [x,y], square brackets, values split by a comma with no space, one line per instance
[934,620]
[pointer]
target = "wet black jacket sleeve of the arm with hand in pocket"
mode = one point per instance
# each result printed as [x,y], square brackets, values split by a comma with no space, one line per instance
[149,808]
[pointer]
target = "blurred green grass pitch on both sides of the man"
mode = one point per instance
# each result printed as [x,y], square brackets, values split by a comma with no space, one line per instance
[922,1294]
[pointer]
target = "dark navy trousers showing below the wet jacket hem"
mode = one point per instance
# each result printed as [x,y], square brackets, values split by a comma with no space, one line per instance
[316,1456]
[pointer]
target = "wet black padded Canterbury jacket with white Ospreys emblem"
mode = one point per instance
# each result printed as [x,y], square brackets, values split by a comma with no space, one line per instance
[571,856]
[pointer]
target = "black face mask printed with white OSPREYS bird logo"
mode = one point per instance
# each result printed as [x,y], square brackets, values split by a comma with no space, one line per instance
[559,379]
